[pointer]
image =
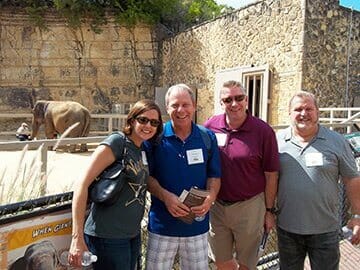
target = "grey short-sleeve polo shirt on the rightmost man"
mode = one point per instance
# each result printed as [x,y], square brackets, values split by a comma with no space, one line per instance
[308,196]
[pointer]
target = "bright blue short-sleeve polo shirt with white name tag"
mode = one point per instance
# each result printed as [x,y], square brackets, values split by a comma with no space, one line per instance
[173,164]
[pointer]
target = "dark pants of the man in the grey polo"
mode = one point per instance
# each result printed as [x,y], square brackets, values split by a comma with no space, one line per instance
[322,249]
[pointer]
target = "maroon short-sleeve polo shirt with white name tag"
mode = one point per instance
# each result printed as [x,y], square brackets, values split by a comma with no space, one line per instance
[245,153]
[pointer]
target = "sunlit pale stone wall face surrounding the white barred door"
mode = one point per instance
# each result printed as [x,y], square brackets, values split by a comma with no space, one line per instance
[267,32]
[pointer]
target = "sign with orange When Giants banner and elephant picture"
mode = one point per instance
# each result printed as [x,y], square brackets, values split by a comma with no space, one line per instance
[35,243]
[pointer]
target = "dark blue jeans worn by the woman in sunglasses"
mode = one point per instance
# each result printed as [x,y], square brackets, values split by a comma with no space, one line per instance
[114,254]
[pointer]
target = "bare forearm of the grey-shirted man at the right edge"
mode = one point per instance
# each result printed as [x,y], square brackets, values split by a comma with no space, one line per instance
[353,193]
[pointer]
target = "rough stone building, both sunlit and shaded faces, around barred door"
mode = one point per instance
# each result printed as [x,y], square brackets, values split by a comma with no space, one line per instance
[303,41]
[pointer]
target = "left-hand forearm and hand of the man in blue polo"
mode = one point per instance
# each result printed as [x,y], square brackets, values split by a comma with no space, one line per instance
[171,201]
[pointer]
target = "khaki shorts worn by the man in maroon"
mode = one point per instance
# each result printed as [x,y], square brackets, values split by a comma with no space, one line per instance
[237,228]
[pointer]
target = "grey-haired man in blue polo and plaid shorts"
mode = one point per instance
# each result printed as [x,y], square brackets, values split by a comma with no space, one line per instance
[181,160]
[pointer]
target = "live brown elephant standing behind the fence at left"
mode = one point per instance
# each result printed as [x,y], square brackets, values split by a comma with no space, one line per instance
[58,116]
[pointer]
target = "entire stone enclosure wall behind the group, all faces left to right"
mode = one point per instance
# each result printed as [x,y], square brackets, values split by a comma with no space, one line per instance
[304,42]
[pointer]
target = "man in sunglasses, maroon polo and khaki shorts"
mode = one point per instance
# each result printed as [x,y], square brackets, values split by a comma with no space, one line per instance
[250,165]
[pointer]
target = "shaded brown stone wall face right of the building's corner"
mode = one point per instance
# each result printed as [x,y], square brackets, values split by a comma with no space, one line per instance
[326,52]
